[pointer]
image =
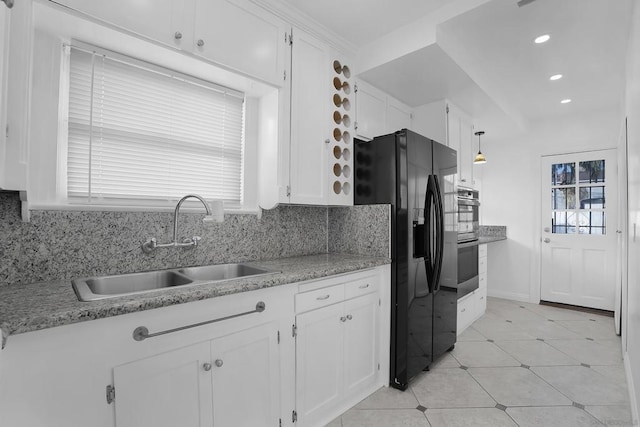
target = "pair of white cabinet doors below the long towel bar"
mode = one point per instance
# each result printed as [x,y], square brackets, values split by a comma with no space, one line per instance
[230,381]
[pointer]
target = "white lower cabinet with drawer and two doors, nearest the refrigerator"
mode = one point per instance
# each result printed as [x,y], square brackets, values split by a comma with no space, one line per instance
[337,349]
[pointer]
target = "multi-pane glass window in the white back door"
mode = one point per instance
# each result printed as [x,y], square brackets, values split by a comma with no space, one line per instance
[578,197]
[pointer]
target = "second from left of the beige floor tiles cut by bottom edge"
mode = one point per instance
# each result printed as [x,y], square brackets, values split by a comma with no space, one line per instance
[465,417]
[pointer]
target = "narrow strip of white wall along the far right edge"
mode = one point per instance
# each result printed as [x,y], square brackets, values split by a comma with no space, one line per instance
[631,334]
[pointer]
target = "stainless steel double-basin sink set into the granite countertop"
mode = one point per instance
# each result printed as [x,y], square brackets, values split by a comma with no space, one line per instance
[102,287]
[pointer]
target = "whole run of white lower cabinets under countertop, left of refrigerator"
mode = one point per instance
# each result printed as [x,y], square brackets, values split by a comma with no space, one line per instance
[234,367]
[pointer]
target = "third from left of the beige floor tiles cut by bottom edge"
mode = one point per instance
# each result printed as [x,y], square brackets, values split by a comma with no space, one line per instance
[562,416]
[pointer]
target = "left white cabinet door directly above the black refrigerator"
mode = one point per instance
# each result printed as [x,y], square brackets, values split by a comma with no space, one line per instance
[370,111]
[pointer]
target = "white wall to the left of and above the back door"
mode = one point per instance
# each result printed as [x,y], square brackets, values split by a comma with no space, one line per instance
[511,192]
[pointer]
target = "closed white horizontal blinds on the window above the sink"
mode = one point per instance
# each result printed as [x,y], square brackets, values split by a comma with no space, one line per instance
[138,133]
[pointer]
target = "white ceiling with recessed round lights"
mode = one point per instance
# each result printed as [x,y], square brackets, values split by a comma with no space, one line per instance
[485,59]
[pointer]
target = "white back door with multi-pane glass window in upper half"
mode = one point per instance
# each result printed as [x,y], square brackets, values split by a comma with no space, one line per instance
[579,219]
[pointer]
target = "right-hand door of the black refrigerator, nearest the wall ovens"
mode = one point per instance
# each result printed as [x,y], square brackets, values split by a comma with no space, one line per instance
[445,298]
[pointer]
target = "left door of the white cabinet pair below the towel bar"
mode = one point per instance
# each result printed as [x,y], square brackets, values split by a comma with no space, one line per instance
[170,389]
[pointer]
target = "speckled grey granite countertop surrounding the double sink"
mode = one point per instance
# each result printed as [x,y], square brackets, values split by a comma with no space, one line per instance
[25,308]
